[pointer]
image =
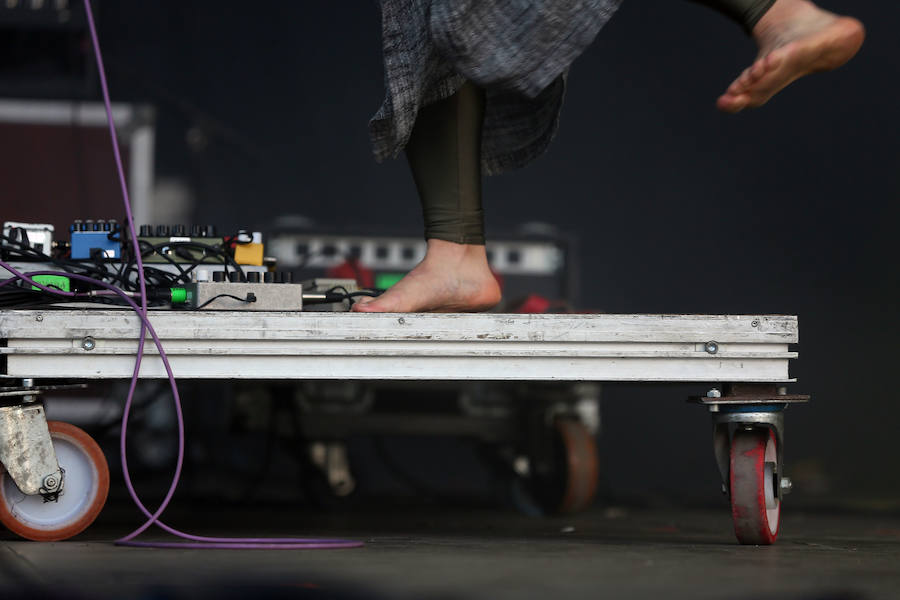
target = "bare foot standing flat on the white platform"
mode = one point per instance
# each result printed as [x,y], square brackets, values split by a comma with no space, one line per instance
[451,278]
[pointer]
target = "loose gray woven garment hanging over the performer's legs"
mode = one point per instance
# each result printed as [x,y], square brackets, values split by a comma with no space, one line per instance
[517,50]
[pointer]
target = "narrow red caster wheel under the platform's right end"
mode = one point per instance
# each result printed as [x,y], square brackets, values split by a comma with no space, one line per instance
[755,503]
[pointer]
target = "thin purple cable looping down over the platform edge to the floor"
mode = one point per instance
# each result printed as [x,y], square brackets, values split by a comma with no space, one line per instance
[199,542]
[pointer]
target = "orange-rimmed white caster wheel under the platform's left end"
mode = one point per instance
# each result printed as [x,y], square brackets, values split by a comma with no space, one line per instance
[85,485]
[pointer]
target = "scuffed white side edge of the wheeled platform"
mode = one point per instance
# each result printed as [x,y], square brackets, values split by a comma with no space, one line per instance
[101,344]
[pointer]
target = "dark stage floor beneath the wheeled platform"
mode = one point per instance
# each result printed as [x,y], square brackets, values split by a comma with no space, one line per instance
[446,553]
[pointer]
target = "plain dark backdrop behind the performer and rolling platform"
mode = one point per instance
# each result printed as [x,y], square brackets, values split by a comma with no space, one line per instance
[788,209]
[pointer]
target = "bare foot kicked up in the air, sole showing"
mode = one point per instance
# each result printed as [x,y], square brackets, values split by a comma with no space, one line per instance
[795,38]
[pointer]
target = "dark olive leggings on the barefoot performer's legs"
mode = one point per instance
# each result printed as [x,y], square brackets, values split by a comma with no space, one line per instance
[444,149]
